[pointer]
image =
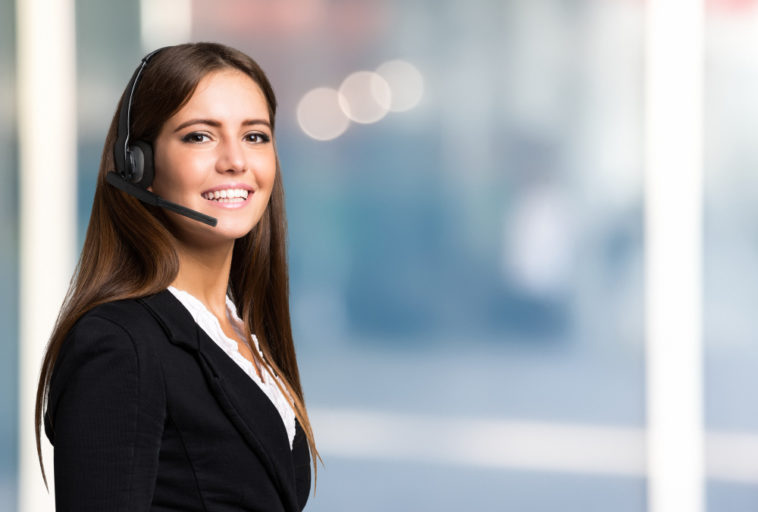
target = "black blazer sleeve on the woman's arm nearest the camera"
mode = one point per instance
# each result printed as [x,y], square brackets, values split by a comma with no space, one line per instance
[105,418]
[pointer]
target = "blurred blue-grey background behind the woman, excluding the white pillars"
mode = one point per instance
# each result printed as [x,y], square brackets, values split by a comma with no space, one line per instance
[466,244]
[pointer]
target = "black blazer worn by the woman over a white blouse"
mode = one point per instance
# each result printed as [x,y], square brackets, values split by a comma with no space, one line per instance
[146,412]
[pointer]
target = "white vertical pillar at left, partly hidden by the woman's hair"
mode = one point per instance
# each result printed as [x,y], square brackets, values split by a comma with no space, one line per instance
[46,48]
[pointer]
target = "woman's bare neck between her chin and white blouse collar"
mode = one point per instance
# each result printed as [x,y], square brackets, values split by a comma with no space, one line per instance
[204,273]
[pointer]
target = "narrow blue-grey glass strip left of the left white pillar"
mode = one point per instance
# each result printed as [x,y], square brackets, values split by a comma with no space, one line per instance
[8,258]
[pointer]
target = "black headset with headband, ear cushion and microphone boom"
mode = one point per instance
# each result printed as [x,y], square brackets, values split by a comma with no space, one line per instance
[135,168]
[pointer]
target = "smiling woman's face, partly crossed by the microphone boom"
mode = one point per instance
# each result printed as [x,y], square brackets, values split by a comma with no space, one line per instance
[216,155]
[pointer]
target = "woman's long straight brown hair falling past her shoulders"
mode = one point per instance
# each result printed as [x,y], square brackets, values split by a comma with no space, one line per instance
[128,252]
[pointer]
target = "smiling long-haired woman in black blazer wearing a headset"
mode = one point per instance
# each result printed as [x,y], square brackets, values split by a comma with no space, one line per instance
[170,380]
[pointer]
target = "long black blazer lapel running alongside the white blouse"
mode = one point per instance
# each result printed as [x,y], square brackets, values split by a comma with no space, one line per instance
[245,404]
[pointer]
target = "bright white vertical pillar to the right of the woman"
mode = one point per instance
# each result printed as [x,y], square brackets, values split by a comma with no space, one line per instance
[673,254]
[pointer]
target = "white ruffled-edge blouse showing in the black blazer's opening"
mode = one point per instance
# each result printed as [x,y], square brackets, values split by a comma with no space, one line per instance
[212,328]
